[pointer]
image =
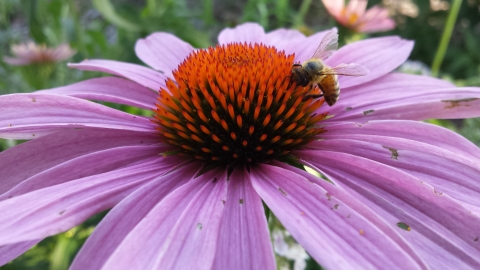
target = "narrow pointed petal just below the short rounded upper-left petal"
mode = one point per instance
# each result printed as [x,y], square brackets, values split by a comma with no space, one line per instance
[139,74]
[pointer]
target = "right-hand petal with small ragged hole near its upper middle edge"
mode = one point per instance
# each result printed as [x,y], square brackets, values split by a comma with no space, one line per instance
[448,172]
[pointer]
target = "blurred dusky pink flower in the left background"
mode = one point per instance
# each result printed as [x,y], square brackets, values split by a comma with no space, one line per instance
[31,53]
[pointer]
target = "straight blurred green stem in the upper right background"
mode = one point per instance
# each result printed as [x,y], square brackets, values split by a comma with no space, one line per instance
[447,33]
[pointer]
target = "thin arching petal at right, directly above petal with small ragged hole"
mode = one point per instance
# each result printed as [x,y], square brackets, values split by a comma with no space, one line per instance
[411,130]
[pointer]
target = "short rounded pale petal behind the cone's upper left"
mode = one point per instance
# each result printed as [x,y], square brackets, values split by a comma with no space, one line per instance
[162,51]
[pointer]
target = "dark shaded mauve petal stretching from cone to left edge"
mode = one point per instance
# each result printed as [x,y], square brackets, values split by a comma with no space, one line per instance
[18,163]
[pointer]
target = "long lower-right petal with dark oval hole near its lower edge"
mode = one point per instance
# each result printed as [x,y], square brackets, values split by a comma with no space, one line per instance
[441,230]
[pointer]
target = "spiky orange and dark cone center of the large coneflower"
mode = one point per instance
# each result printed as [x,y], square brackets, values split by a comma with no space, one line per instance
[236,105]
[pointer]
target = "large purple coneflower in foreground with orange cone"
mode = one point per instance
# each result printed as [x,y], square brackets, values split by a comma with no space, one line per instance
[230,131]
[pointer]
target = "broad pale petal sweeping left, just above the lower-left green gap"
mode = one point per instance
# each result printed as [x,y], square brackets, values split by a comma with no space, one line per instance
[55,209]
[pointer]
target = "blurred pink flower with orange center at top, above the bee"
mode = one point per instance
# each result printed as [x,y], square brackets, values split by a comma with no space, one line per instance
[355,16]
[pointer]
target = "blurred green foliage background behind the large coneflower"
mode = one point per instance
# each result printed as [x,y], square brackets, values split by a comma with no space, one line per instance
[108,29]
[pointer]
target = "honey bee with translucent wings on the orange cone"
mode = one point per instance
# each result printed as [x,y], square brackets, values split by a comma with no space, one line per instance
[315,71]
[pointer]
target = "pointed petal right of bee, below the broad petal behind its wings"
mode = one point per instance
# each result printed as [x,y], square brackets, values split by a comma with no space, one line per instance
[388,88]
